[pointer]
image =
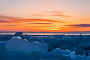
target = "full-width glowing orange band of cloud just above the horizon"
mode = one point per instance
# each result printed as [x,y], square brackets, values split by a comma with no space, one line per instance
[8,23]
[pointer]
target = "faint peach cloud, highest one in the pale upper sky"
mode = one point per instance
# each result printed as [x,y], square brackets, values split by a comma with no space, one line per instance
[50,13]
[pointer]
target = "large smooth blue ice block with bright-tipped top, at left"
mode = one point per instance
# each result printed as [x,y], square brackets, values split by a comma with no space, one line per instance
[16,46]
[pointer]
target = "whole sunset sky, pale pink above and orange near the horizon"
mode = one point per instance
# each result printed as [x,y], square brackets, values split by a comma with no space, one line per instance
[45,15]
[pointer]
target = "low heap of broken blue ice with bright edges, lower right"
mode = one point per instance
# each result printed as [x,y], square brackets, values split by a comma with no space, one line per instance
[65,54]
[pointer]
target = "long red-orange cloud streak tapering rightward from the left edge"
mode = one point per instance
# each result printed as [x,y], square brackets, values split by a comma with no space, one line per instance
[6,19]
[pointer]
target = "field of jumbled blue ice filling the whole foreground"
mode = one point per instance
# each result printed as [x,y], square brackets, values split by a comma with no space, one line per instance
[46,48]
